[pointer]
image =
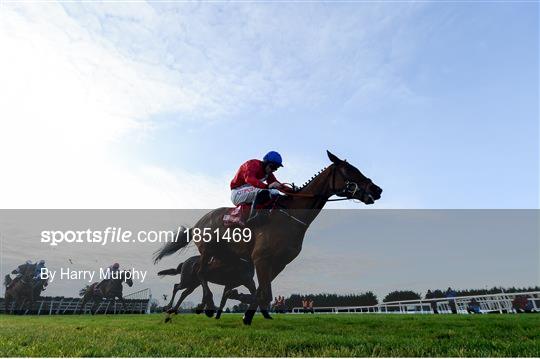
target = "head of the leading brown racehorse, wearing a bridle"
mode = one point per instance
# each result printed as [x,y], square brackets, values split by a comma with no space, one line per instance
[347,181]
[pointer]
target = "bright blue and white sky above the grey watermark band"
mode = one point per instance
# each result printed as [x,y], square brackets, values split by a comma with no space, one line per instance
[156,104]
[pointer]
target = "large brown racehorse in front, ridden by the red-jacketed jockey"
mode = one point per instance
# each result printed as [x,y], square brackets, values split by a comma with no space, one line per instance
[278,240]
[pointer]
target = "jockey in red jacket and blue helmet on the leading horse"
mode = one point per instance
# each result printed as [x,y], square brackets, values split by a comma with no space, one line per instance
[255,182]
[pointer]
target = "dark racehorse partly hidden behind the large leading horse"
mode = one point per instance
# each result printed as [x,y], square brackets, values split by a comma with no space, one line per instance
[218,273]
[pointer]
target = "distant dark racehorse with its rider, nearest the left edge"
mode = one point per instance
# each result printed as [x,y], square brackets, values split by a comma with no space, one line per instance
[22,291]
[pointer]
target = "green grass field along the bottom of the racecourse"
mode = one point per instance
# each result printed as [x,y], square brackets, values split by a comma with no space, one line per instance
[286,335]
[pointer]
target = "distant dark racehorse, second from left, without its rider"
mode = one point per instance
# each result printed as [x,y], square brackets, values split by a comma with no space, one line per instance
[107,289]
